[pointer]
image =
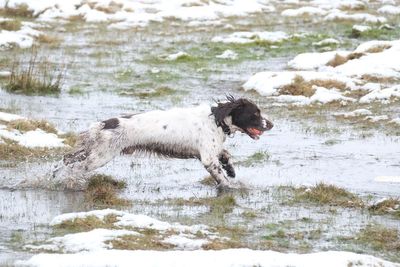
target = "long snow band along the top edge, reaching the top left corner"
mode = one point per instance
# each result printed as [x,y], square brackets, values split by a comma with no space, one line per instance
[140,13]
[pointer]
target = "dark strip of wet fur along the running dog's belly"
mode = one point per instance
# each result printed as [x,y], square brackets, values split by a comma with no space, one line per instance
[169,151]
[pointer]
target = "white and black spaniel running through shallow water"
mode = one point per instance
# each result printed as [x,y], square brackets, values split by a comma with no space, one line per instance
[197,132]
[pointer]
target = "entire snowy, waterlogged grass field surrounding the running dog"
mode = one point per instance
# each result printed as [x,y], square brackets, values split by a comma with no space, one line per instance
[322,188]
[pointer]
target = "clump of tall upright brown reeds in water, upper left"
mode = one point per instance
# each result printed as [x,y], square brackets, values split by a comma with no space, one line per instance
[38,77]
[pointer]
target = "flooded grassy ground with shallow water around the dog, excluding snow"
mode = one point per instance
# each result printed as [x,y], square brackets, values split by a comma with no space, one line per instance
[109,73]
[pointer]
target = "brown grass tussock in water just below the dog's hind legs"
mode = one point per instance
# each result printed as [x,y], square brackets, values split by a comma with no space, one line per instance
[102,190]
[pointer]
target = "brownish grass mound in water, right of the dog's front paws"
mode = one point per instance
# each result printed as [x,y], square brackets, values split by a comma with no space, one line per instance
[328,195]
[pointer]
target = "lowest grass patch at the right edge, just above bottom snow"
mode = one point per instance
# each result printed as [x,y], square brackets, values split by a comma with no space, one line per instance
[380,237]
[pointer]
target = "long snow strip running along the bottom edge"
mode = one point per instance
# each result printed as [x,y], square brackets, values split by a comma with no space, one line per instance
[201,258]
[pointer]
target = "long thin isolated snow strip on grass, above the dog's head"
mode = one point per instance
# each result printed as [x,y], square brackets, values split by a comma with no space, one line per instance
[251,37]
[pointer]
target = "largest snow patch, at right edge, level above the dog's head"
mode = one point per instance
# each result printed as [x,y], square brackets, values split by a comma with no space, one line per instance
[376,60]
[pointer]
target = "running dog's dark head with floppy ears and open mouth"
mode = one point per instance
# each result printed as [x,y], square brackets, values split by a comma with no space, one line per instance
[245,117]
